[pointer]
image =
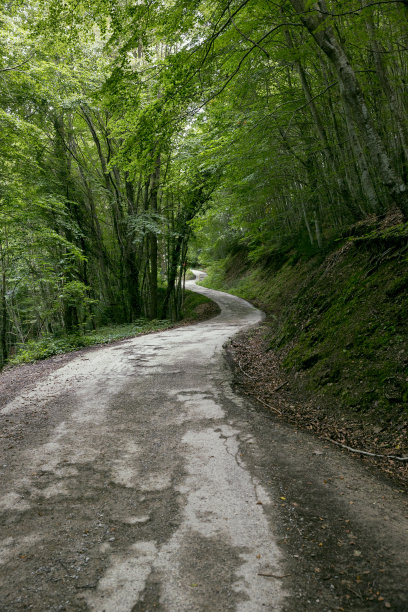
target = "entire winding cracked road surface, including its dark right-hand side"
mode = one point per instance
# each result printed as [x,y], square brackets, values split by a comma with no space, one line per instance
[134,478]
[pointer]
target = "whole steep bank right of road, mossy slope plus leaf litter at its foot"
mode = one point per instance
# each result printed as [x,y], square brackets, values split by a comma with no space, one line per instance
[332,355]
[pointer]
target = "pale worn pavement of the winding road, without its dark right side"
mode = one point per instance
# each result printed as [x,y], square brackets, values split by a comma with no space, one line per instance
[128,490]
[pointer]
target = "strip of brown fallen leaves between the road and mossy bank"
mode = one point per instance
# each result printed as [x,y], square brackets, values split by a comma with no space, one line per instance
[258,374]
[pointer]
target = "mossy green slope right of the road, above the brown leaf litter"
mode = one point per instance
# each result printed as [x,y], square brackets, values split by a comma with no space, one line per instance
[339,323]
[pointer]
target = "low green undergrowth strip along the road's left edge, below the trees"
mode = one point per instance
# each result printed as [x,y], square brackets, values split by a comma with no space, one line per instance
[48,345]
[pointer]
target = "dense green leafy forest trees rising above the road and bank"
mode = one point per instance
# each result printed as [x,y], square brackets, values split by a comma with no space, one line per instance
[140,136]
